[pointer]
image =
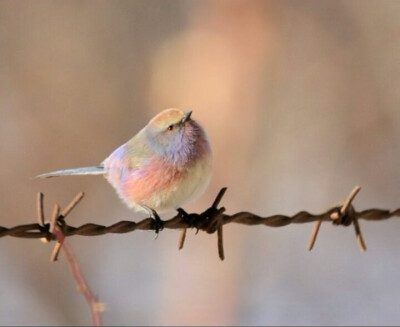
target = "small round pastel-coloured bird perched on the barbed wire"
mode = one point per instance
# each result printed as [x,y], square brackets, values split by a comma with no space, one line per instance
[167,164]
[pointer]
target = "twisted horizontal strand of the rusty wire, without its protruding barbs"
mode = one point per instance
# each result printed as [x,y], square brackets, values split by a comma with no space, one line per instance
[36,230]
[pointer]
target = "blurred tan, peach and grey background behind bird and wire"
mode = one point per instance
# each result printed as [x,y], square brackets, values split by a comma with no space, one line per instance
[301,102]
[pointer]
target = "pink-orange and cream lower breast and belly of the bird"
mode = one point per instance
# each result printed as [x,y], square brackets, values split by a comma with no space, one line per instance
[159,183]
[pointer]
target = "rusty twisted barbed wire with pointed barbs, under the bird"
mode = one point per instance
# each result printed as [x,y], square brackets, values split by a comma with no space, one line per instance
[211,220]
